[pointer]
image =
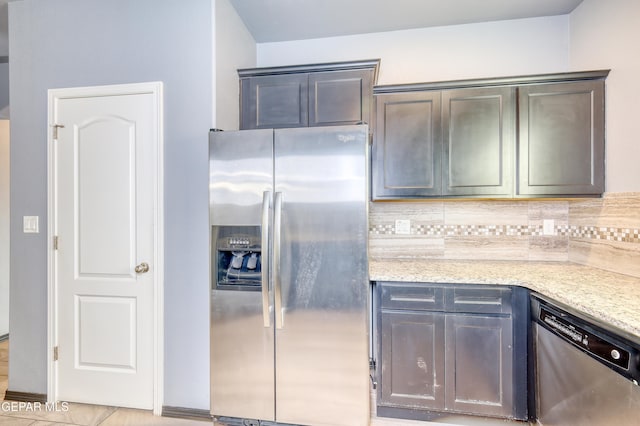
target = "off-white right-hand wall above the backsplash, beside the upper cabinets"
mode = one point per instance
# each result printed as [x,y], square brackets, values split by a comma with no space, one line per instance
[606,35]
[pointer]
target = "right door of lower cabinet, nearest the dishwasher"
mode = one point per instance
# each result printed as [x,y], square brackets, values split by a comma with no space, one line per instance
[479,365]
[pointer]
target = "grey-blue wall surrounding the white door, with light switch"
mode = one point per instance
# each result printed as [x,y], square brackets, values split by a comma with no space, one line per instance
[70,43]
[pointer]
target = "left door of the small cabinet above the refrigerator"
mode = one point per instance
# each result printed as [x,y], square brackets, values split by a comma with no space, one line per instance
[275,101]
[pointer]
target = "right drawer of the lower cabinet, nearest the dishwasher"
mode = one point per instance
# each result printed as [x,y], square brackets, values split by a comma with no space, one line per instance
[487,300]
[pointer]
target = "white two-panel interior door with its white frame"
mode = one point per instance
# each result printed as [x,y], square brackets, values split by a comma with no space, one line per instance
[104,267]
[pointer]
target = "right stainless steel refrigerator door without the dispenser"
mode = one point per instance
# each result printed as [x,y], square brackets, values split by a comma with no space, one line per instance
[322,276]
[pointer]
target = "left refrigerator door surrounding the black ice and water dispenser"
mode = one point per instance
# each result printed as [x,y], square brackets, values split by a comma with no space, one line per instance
[242,352]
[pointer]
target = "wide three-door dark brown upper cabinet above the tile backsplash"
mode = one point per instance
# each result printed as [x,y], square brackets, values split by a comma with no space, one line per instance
[516,137]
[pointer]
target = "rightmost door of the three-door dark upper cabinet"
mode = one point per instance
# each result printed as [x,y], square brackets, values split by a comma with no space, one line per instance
[561,143]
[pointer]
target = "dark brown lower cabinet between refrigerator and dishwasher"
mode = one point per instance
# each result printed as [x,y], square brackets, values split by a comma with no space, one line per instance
[451,349]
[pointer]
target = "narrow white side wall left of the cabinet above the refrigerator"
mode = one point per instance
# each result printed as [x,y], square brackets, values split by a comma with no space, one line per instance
[235,48]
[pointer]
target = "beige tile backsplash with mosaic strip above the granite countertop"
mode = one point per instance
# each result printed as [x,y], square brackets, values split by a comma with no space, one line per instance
[601,232]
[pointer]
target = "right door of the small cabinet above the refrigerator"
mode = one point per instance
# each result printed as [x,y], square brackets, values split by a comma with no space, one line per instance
[340,97]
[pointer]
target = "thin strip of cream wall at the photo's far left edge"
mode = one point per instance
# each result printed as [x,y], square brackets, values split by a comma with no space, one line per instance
[4,227]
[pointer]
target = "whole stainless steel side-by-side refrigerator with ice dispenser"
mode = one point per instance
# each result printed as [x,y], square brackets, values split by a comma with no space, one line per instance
[289,276]
